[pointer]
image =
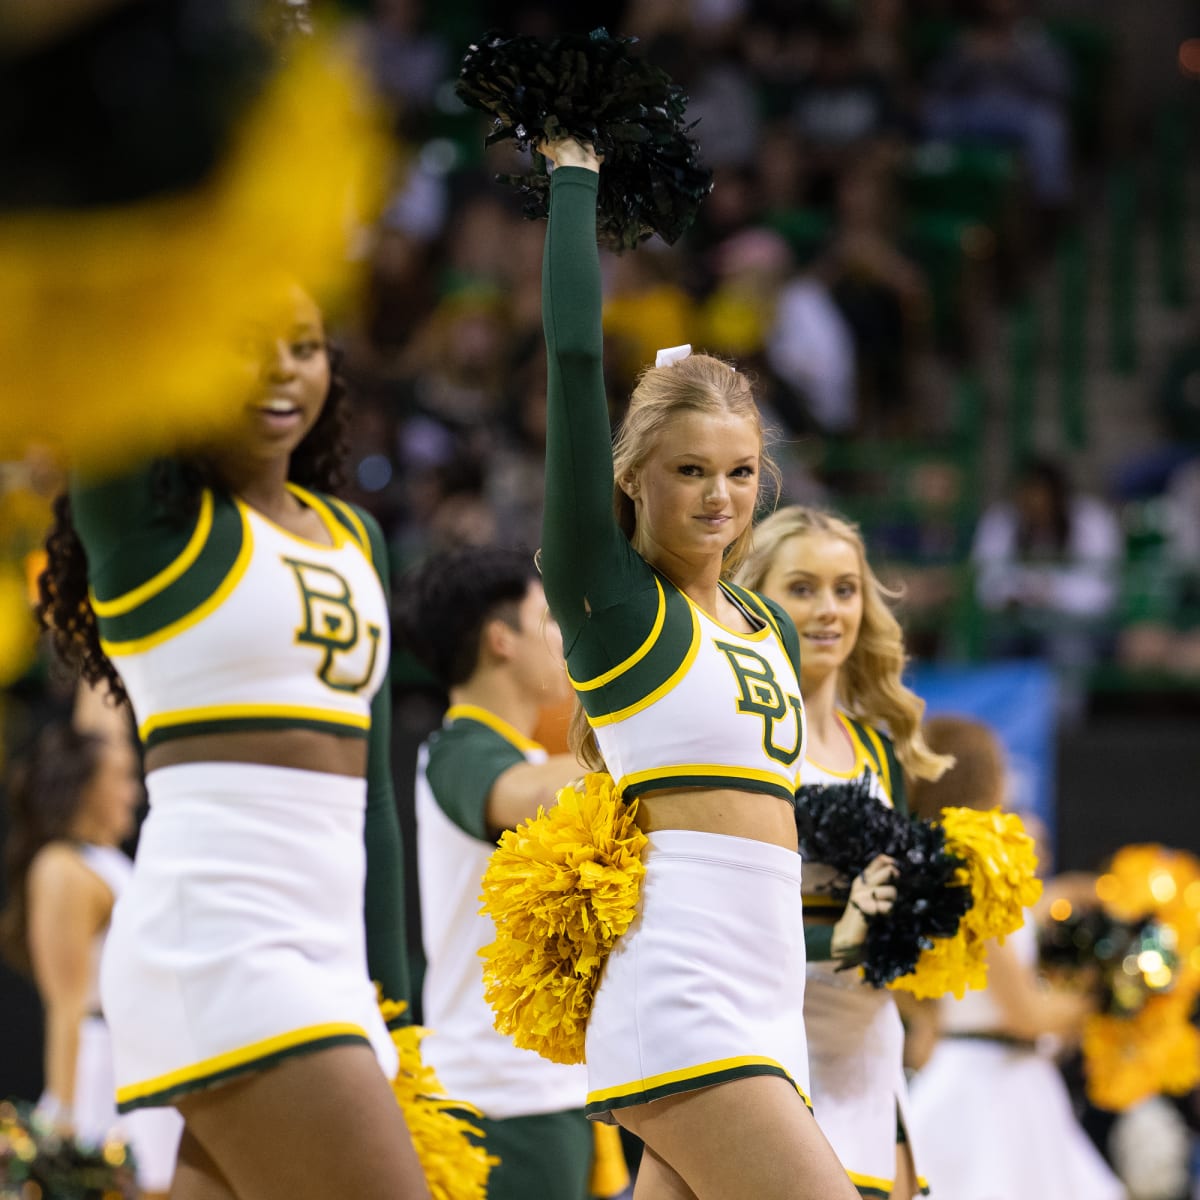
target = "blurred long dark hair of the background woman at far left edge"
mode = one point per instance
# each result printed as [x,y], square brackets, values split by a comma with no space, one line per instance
[45,791]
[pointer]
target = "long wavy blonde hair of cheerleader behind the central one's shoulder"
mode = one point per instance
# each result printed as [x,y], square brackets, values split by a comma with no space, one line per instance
[869,683]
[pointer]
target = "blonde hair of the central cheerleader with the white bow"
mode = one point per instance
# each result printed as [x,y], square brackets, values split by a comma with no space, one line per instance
[701,383]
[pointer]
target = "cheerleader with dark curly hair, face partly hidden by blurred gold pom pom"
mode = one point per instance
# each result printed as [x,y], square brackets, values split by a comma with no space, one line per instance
[243,613]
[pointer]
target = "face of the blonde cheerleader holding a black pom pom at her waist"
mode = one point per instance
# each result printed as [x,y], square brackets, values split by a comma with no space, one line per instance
[818,578]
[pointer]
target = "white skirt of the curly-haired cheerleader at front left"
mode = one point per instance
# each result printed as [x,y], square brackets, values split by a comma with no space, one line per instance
[241,939]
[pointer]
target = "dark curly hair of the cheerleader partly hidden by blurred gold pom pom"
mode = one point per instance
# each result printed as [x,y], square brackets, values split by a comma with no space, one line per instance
[64,609]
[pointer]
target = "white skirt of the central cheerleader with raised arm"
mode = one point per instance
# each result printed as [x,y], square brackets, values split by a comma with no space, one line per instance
[707,983]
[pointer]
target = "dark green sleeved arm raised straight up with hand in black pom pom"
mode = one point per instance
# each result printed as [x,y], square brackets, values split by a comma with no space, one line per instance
[585,555]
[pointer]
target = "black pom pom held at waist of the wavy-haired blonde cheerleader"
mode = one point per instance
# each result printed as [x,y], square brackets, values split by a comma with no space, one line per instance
[845,826]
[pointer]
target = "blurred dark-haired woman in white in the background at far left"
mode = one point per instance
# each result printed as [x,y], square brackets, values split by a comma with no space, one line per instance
[71,806]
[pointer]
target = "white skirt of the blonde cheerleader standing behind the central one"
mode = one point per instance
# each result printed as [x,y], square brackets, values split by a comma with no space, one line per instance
[856,1055]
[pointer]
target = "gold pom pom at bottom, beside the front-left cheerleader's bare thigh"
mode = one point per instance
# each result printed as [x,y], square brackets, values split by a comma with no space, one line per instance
[455,1167]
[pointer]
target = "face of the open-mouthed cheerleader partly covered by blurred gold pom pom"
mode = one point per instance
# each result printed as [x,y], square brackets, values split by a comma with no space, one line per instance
[291,375]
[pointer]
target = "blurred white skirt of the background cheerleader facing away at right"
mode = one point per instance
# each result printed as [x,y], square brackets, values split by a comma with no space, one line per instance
[995,1123]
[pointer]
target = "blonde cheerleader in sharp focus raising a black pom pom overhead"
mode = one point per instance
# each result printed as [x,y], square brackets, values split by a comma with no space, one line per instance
[691,700]
